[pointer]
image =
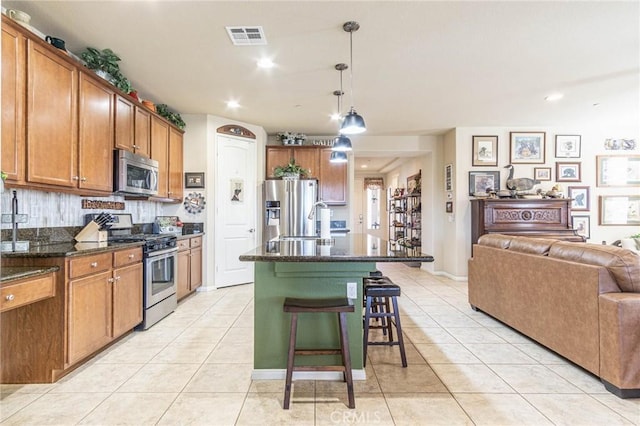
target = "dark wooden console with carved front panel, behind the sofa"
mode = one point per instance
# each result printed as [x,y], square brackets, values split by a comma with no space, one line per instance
[543,218]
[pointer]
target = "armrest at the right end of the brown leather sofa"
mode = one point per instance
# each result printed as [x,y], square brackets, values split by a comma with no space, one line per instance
[620,340]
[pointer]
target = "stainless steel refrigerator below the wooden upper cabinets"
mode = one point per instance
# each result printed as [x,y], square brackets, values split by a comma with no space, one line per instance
[287,205]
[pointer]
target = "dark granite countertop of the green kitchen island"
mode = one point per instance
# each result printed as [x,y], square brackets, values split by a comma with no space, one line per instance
[350,248]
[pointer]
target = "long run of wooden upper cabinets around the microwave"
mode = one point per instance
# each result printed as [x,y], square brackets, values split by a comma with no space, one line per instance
[60,123]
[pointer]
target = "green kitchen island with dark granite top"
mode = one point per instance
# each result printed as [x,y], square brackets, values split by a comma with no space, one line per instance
[311,268]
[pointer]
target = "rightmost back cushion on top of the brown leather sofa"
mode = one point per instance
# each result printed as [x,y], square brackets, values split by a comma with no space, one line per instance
[623,264]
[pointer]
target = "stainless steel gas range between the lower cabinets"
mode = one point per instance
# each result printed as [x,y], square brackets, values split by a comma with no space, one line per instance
[160,257]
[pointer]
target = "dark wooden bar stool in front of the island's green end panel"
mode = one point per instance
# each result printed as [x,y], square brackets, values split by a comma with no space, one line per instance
[341,306]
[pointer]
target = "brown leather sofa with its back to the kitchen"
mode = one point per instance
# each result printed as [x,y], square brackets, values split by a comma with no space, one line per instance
[580,300]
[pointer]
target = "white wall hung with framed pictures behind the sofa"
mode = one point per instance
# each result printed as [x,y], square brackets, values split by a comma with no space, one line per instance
[458,147]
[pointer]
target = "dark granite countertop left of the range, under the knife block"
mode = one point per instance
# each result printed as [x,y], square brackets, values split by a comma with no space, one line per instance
[70,248]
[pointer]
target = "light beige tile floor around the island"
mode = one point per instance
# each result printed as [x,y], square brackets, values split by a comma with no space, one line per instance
[194,368]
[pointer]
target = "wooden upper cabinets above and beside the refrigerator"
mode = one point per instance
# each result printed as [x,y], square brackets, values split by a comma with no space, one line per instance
[332,177]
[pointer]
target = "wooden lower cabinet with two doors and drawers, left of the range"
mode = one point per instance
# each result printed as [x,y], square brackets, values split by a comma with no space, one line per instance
[105,300]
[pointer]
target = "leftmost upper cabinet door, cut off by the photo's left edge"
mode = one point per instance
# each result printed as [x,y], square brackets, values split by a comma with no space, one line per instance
[14,80]
